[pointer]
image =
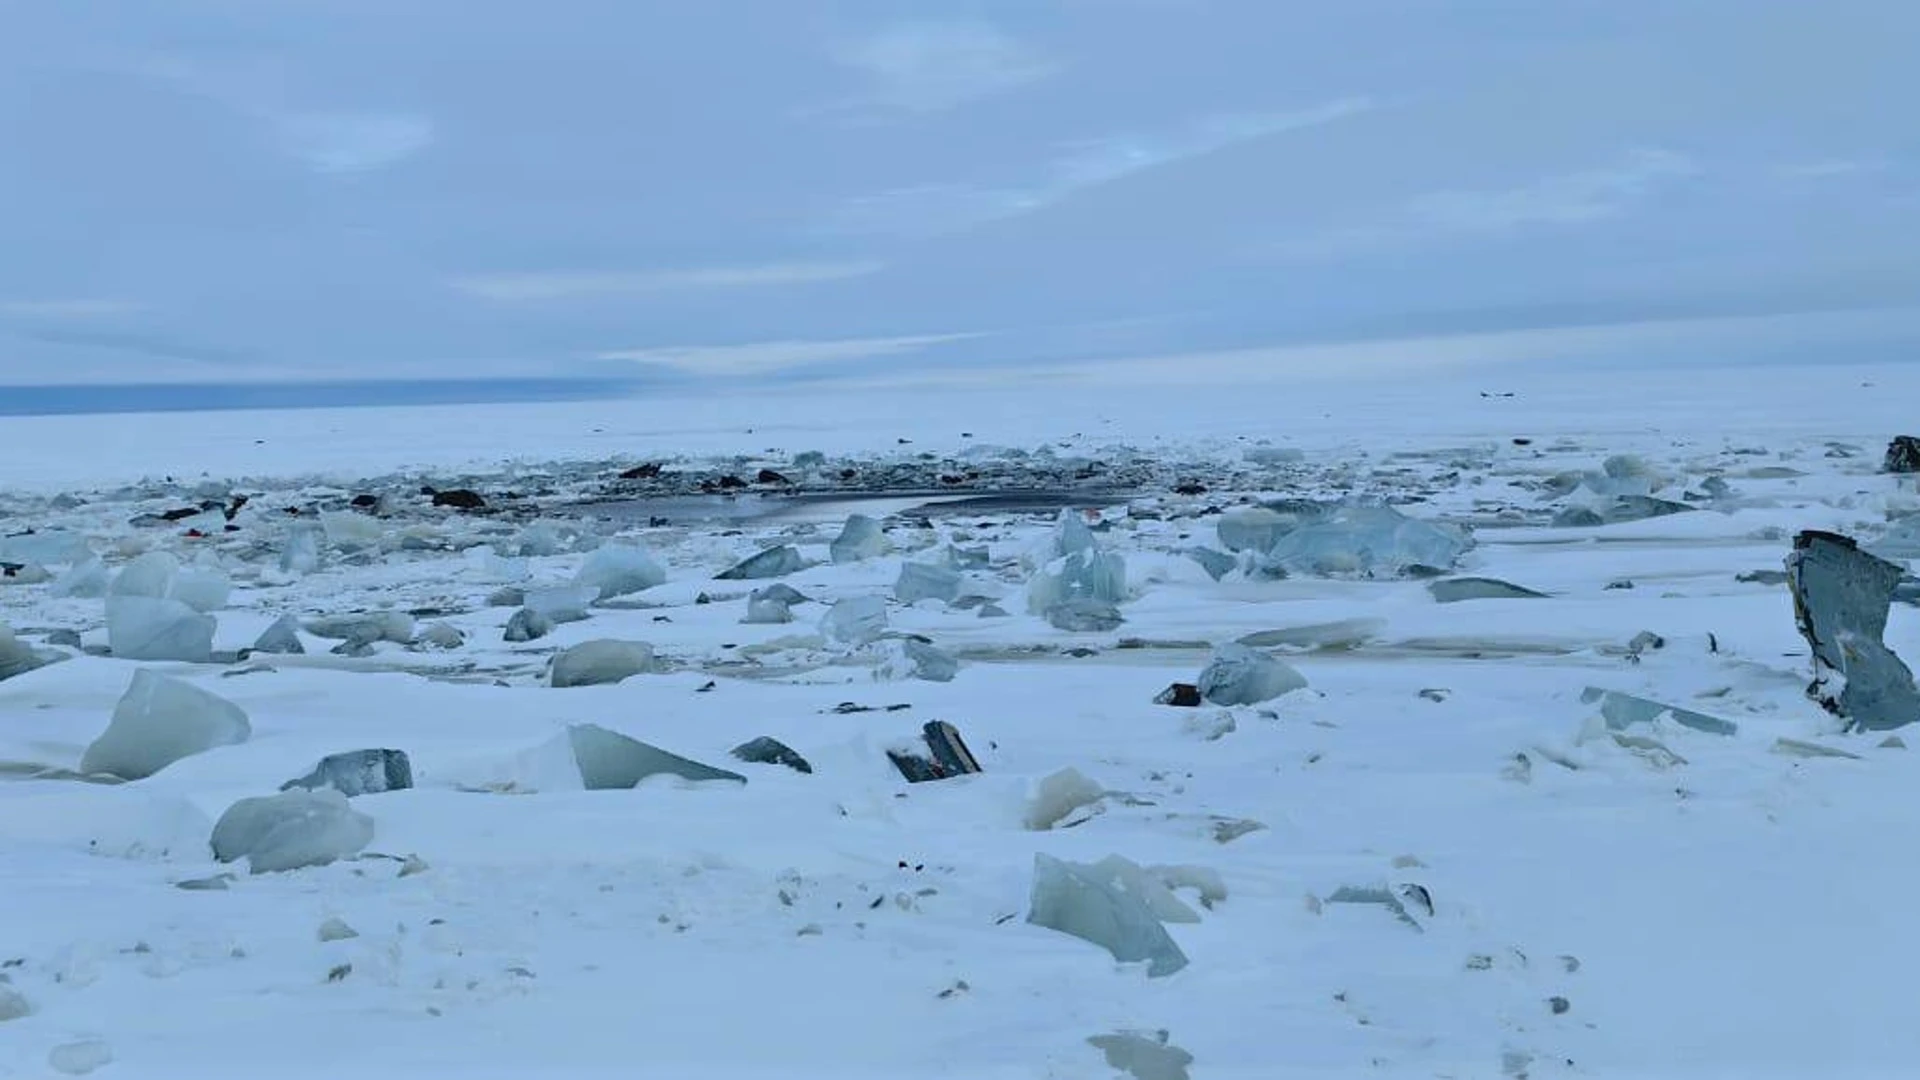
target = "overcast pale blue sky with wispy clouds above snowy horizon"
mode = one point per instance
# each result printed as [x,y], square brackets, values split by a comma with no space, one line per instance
[216,191]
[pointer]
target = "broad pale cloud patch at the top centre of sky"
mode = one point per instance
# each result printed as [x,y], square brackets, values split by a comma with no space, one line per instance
[936,66]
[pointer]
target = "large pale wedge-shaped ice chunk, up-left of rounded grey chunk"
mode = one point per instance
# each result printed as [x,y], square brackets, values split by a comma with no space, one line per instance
[160,722]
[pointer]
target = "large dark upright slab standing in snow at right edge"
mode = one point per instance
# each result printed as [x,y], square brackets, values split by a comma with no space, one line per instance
[1840,606]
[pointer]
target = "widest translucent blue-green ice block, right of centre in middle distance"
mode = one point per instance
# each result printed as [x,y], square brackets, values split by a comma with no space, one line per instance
[1372,541]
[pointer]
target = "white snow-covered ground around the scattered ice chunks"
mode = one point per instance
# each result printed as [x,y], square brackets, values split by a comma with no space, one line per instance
[1664,904]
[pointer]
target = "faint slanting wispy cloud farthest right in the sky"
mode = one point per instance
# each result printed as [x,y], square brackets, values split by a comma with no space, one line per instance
[1566,199]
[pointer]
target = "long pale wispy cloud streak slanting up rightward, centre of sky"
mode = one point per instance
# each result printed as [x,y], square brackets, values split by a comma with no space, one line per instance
[932,210]
